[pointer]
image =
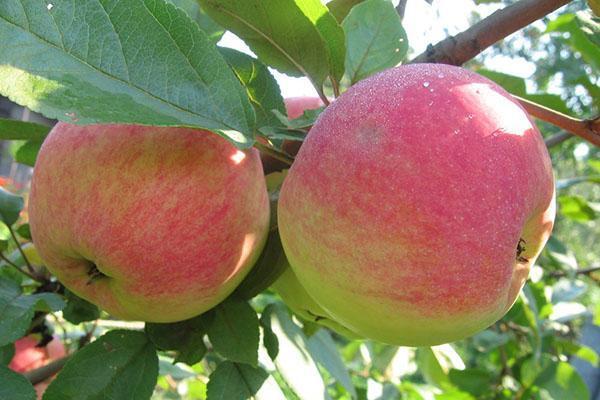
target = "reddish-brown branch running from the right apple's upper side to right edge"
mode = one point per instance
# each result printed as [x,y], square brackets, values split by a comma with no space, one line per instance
[588,129]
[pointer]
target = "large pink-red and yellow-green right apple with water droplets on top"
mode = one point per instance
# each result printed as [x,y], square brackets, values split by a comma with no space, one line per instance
[402,213]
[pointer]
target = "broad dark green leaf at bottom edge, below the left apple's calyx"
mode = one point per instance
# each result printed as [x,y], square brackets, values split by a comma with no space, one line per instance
[119,365]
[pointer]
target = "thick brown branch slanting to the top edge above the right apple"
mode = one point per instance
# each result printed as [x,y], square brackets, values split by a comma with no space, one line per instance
[456,50]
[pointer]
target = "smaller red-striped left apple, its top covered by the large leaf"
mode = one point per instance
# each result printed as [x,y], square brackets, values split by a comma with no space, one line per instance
[174,218]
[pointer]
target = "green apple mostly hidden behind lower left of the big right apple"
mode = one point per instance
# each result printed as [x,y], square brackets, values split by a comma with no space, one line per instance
[299,301]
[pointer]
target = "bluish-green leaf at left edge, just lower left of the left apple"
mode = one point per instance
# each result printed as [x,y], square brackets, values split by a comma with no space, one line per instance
[17,309]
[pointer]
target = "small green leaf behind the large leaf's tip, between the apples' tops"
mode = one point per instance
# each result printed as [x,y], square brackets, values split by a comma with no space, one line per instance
[262,88]
